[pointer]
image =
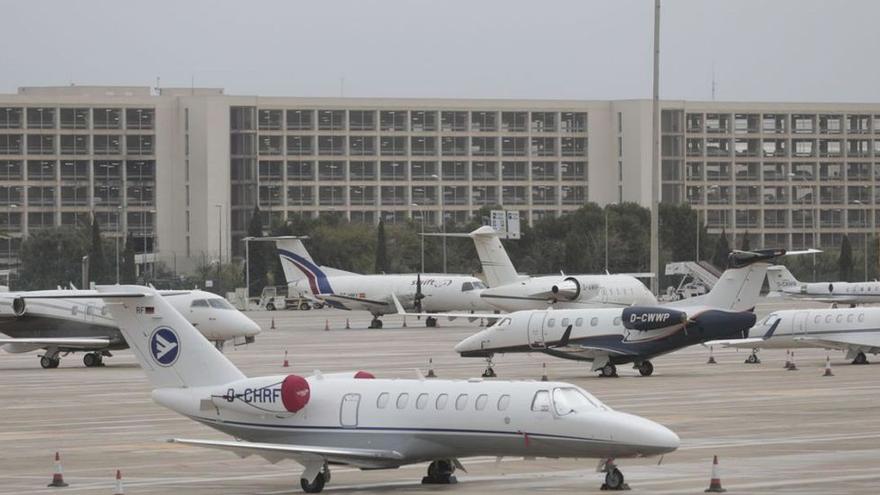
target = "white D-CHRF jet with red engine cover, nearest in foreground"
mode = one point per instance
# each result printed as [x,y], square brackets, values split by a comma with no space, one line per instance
[354,419]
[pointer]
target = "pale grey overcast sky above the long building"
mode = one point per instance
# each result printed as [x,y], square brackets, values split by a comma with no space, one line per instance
[795,50]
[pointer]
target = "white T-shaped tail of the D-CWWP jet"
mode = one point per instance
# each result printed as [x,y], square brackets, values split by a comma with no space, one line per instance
[739,286]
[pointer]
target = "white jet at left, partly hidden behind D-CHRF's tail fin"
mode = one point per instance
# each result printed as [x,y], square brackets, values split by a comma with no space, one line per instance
[84,325]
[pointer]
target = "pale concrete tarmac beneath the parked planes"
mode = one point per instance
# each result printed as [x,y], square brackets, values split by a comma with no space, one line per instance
[775,431]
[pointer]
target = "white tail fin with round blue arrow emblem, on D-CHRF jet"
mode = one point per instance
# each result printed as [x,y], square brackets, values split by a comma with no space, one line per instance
[171,351]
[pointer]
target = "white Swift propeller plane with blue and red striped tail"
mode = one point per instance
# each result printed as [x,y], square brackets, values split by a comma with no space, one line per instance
[427,293]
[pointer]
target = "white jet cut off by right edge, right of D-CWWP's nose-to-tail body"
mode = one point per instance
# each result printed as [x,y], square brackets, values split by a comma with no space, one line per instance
[853,330]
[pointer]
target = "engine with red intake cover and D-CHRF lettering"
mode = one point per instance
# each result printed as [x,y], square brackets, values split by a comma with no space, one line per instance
[267,395]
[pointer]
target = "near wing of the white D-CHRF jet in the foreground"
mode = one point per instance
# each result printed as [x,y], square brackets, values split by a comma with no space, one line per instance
[306,455]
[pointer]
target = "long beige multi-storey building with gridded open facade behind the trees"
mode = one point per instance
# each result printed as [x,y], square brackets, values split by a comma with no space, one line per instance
[181,169]
